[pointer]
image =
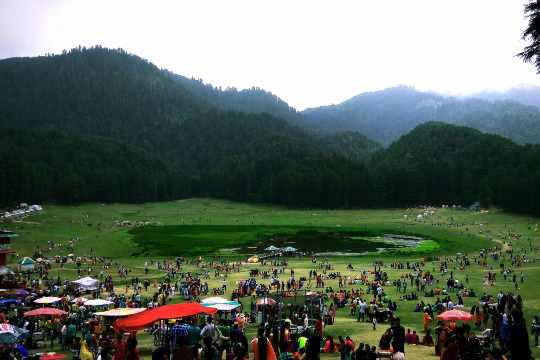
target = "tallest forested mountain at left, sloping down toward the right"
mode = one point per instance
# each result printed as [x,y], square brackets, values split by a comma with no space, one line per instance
[108,95]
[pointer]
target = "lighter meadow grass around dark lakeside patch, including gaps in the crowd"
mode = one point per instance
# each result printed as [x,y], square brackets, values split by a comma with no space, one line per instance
[59,224]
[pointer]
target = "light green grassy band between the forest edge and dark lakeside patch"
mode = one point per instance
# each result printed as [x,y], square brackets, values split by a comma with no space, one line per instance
[94,223]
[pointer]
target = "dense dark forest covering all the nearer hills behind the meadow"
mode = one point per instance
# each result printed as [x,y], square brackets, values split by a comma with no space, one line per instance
[103,125]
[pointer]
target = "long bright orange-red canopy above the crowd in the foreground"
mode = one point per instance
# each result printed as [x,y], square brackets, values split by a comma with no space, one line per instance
[146,318]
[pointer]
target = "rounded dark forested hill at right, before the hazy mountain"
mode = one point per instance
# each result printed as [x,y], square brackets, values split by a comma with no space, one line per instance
[445,164]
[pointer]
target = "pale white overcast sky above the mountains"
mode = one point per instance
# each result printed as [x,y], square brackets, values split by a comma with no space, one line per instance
[308,52]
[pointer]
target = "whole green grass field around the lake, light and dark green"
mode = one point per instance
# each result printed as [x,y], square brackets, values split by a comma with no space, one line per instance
[205,225]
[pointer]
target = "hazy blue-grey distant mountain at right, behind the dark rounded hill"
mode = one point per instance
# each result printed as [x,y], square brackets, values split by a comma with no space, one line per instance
[385,115]
